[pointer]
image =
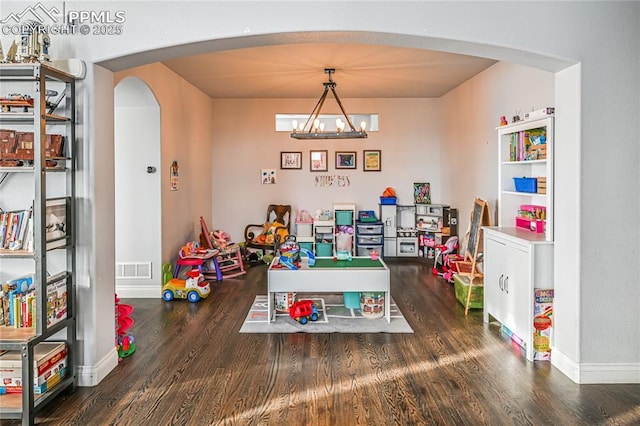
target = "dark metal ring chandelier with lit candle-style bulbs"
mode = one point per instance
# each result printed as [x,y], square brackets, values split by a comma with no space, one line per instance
[313,128]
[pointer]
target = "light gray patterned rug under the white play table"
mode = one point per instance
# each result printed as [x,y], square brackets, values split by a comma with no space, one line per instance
[334,318]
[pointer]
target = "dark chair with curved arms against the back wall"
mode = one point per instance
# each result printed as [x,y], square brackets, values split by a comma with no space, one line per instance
[269,235]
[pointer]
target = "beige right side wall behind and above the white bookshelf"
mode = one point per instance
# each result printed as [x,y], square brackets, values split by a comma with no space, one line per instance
[470,114]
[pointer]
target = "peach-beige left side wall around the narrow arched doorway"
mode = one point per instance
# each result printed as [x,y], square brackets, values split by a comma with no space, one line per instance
[186,135]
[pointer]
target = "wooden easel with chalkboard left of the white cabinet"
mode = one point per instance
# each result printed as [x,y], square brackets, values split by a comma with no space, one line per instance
[480,216]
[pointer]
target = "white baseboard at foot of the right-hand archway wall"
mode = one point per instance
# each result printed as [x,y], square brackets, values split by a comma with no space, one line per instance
[596,373]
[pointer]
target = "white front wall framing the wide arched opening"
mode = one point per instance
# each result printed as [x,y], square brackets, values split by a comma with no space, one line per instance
[603,36]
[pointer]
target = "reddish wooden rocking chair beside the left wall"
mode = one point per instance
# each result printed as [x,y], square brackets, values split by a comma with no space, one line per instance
[228,260]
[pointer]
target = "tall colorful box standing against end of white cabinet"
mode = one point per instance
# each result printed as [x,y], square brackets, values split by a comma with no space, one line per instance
[542,324]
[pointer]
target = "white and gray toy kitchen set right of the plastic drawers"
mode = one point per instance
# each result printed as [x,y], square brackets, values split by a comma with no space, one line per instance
[416,230]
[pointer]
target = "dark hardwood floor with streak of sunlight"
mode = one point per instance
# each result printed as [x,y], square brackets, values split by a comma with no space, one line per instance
[193,367]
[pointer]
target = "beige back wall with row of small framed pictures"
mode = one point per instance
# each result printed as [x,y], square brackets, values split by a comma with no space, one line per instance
[245,142]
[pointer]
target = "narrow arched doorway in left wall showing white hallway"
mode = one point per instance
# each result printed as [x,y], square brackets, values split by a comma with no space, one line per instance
[138,236]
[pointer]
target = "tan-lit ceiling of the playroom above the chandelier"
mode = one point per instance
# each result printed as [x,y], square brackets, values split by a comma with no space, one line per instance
[297,71]
